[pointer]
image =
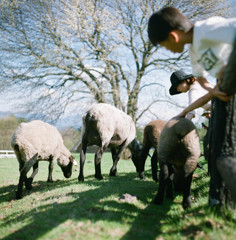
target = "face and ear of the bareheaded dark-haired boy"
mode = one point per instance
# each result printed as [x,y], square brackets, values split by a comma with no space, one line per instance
[173,43]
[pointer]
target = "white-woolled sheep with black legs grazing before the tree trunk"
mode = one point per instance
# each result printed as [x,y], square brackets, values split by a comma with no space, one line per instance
[106,126]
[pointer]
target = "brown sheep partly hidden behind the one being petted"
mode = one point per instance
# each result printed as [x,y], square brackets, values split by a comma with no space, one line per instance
[151,136]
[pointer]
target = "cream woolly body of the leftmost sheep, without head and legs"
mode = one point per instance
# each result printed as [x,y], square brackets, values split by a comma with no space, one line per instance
[37,137]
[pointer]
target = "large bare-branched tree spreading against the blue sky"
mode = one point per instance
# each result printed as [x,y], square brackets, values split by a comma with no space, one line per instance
[60,52]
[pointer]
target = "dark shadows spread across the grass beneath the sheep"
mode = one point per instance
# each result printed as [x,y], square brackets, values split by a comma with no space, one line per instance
[96,205]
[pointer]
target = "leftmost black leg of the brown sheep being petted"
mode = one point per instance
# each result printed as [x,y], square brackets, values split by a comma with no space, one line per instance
[163,181]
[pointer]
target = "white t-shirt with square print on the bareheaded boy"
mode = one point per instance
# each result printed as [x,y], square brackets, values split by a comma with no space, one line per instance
[212,43]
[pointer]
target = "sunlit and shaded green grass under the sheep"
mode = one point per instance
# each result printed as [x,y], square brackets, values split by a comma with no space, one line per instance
[68,209]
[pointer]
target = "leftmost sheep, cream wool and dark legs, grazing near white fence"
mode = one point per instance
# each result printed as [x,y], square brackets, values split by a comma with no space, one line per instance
[39,141]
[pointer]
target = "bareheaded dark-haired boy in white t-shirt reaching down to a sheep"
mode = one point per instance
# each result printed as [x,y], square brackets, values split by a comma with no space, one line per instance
[210,43]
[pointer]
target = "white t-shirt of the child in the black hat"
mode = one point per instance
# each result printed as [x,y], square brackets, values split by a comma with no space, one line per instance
[195,92]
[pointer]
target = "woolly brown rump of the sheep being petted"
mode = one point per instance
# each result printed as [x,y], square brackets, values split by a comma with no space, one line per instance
[179,144]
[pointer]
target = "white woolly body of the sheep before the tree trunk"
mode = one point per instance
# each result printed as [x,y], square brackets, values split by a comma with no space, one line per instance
[106,124]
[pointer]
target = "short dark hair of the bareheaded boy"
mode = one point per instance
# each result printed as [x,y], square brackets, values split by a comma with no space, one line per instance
[161,23]
